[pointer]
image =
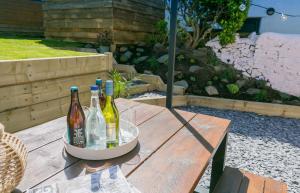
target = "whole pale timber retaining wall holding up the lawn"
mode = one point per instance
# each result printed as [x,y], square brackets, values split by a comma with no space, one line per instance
[35,91]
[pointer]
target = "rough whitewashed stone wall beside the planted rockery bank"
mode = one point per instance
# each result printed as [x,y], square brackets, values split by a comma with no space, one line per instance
[273,57]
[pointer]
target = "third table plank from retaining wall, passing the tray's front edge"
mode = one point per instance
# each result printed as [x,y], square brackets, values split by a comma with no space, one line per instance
[153,134]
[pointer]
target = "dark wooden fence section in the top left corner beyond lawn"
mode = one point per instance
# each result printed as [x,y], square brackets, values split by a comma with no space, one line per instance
[21,16]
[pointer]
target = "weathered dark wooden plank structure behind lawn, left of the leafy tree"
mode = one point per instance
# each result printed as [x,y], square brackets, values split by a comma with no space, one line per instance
[127,20]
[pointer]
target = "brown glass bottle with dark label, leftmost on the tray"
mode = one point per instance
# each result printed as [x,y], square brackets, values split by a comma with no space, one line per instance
[76,121]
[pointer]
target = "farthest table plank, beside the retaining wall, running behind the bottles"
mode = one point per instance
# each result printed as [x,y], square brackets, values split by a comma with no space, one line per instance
[51,131]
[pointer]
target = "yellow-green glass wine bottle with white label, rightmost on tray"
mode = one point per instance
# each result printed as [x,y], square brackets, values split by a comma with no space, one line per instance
[111,117]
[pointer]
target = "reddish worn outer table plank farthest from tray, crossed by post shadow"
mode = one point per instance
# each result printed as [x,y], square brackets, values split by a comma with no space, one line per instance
[183,158]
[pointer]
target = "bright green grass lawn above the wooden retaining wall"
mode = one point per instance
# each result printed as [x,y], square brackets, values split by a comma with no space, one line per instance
[21,47]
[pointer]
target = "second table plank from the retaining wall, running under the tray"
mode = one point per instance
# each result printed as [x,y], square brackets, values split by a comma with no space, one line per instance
[52,154]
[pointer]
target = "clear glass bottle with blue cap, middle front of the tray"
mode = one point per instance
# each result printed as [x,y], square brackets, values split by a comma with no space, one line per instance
[95,123]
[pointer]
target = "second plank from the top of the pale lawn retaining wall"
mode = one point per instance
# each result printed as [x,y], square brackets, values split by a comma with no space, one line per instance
[17,96]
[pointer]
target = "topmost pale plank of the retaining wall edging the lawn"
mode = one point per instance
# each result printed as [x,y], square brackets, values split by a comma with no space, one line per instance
[30,70]
